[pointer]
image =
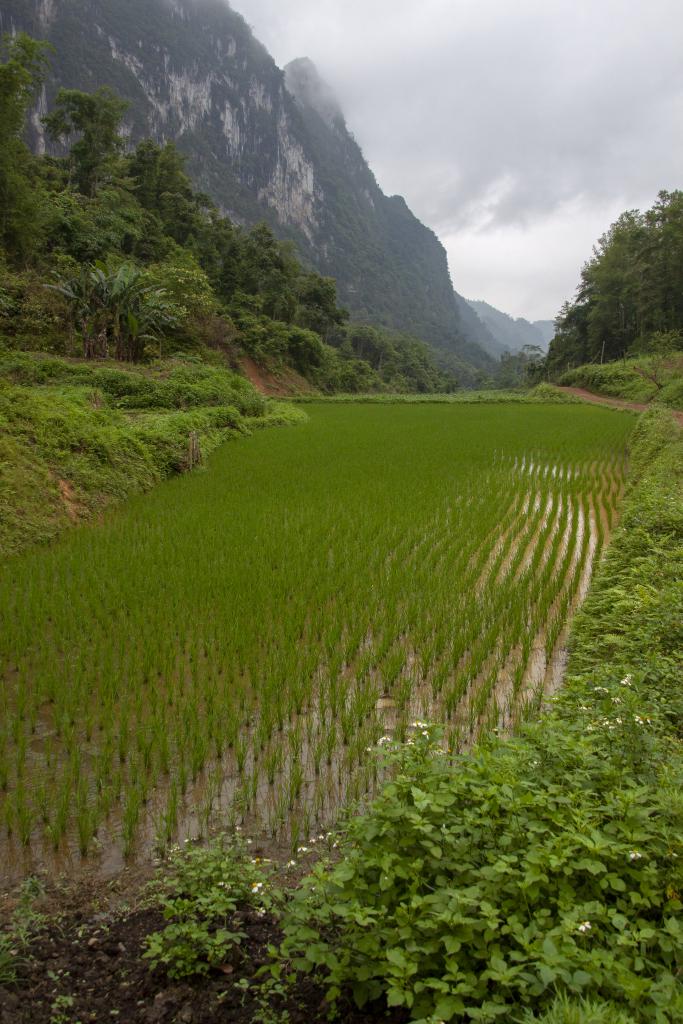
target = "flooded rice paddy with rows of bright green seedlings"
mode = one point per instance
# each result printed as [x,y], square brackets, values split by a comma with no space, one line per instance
[230,649]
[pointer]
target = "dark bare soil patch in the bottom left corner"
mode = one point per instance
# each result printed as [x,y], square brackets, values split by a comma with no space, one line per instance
[87,963]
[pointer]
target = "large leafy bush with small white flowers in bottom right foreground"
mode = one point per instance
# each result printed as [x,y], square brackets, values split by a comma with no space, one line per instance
[491,882]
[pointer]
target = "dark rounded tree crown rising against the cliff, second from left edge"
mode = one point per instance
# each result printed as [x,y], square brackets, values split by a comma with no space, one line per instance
[97,118]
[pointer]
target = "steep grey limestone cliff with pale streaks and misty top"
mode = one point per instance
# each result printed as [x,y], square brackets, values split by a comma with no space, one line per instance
[265,144]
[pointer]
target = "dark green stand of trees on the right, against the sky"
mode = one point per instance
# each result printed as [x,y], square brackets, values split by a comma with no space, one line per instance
[630,297]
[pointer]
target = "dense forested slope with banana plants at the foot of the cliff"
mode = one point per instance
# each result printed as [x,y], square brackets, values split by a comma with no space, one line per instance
[112,252]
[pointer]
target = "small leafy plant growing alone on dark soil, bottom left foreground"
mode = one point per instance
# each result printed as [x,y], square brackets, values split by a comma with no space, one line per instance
[200,891]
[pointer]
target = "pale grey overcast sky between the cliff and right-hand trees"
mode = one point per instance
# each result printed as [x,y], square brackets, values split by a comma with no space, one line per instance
[519,132]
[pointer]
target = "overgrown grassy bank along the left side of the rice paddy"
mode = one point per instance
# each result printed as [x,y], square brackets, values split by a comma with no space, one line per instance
[76,437]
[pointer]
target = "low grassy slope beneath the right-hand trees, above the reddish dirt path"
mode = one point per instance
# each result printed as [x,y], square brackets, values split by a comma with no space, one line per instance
[650,378]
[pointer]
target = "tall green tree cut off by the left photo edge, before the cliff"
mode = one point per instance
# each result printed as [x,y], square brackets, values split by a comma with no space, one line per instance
[22,75]
